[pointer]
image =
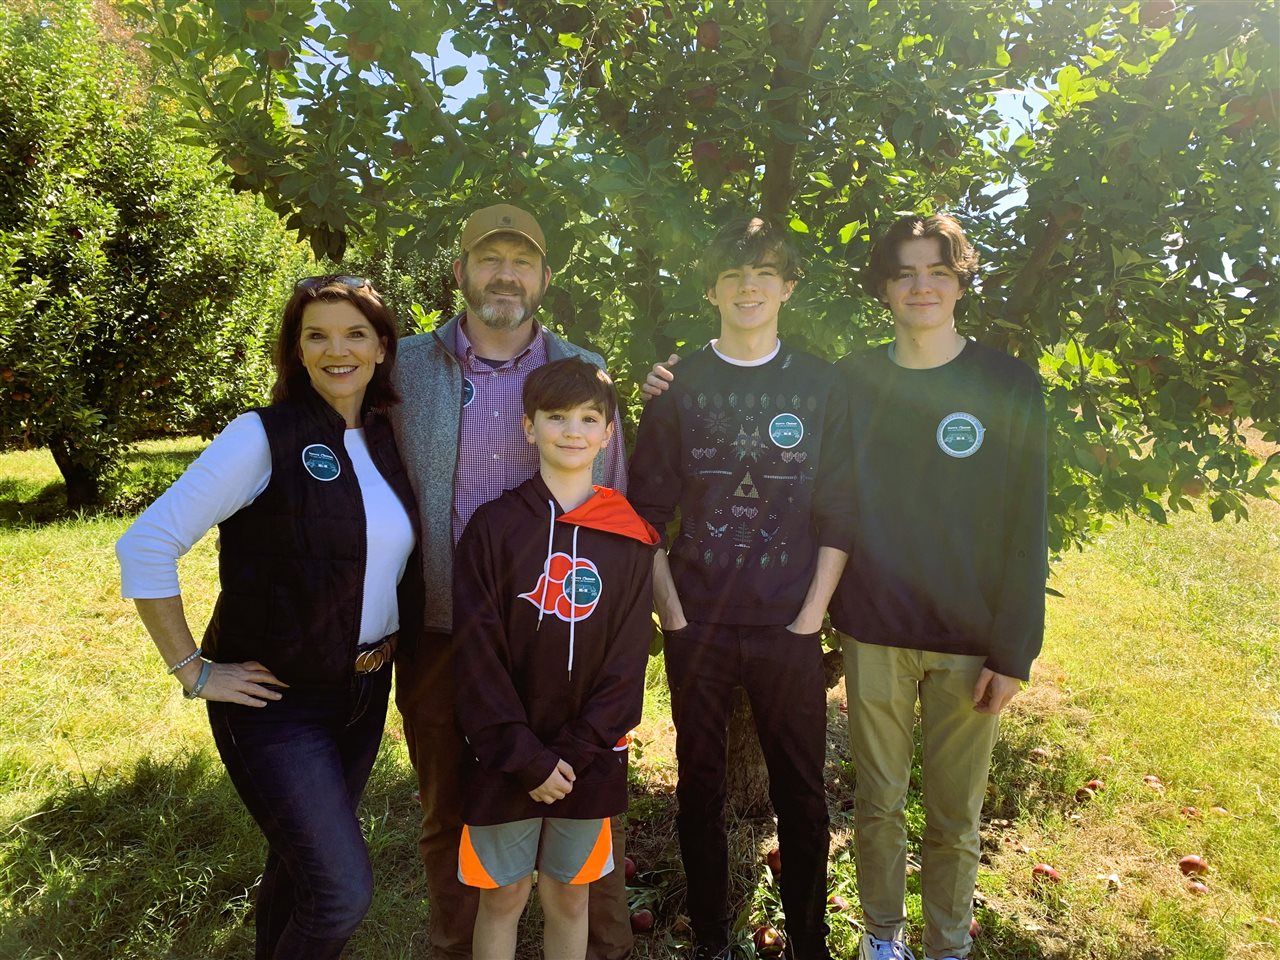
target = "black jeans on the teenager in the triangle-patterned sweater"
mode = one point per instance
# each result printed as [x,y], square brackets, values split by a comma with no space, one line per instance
[784,680]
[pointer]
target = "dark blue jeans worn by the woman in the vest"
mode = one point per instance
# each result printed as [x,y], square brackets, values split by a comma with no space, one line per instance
[300,765]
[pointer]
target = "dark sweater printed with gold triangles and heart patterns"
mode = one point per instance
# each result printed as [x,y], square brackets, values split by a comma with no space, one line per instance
[752,458]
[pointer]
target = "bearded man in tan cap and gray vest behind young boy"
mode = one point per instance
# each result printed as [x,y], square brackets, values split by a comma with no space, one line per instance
[461,436]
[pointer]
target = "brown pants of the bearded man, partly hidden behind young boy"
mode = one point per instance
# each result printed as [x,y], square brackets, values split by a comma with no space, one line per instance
[424,694]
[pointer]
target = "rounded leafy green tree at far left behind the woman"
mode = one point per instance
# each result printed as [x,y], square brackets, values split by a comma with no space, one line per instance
[136,290]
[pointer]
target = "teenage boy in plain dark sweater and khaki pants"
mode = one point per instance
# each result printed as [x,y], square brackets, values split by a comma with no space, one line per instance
[944,598]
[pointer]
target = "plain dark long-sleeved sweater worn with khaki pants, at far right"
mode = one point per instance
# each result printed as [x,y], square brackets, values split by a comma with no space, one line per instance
[950,478]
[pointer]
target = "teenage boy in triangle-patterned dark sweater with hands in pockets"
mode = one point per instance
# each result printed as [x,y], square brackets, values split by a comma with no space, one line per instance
[742,447]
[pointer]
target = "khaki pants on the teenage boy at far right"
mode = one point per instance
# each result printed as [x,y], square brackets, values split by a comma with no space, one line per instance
[884,685]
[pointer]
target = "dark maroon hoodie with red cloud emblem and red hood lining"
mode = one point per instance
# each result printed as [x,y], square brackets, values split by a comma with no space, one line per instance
[552,621]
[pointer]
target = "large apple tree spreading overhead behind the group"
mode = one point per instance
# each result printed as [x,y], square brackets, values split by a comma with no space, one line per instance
[1126,211]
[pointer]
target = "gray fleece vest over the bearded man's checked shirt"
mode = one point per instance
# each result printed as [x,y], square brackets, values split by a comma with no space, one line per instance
[428,427]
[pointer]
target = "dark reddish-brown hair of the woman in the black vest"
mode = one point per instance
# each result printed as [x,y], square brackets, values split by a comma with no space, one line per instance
[291,377]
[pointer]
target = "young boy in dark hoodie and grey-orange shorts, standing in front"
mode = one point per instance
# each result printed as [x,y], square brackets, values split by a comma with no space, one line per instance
[552,598]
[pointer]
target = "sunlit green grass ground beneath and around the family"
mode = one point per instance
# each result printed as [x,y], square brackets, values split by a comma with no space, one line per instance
[120,836]
